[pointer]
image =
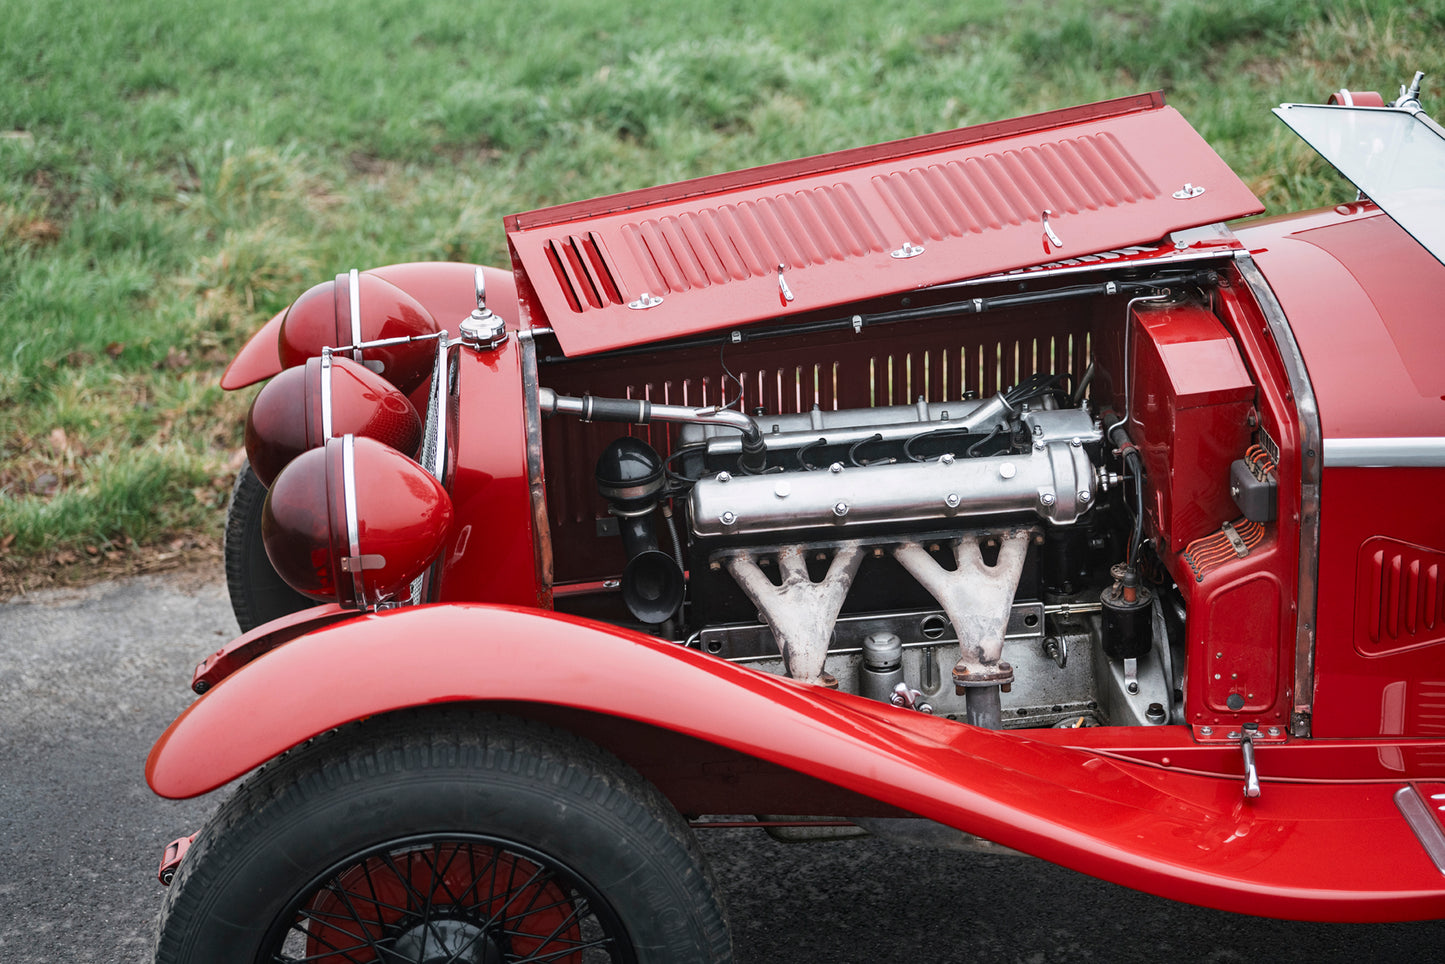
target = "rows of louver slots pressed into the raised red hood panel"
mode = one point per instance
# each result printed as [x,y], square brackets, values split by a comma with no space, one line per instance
[833,223]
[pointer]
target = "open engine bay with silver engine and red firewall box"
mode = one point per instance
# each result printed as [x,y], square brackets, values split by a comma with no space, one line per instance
[1006,509]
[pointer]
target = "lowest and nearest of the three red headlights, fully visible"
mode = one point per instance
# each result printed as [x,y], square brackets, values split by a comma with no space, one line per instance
[355,522]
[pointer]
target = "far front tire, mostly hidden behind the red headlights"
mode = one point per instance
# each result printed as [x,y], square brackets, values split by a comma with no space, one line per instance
[258,593]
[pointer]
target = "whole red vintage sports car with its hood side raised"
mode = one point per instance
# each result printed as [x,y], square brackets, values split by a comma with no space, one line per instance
[982,479]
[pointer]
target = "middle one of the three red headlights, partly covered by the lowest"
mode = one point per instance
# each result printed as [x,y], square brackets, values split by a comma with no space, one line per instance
[304,407]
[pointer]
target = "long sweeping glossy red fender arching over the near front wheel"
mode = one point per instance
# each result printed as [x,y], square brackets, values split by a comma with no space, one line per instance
[1301,851]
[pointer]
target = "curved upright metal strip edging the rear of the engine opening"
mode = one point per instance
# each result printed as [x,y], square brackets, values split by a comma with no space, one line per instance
[1311,465]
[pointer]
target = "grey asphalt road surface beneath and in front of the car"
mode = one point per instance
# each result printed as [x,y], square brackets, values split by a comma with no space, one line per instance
[90,679]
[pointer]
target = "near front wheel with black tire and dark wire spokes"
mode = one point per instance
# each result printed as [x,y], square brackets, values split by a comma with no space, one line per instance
[392,840]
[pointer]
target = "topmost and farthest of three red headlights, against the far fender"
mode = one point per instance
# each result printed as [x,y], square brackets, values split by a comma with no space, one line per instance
[355,309]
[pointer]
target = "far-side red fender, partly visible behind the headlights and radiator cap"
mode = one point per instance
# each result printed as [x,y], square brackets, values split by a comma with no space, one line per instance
[446,288]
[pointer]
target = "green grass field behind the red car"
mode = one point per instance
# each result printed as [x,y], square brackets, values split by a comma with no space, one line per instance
[171,176]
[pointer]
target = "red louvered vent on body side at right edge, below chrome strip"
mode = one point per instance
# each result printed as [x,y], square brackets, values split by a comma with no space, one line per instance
[1401,601]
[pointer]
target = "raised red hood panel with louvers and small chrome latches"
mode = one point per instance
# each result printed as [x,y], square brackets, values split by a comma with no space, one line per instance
[823,232]
